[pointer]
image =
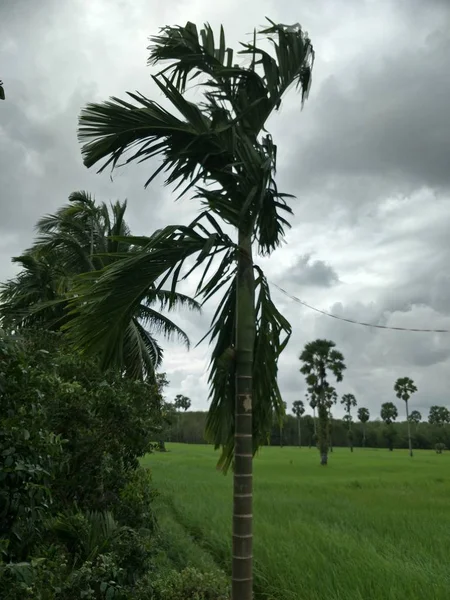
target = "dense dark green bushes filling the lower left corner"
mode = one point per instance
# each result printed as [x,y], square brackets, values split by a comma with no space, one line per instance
[76,509]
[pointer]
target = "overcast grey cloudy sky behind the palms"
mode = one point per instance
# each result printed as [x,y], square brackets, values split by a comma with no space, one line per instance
[368,160]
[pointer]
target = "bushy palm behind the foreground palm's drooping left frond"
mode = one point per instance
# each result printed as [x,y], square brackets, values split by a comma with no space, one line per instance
[80,239]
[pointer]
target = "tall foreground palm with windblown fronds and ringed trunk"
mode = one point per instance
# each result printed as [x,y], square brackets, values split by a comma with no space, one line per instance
[221,147]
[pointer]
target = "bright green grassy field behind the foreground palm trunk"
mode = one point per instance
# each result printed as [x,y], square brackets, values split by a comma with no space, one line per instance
[373,525]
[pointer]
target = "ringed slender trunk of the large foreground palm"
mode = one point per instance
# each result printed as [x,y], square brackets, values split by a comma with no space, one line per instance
[242,561]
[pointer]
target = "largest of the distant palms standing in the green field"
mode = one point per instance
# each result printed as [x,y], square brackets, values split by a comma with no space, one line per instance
[319,358]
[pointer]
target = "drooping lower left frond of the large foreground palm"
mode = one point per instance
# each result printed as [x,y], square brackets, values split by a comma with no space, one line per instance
[106,301]
